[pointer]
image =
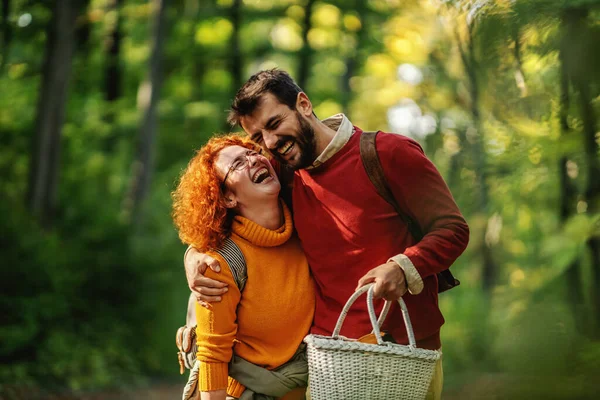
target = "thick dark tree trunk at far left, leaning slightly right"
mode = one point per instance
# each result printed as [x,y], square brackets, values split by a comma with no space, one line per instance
[44,165]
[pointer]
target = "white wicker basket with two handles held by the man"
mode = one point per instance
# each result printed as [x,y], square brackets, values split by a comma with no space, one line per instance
[344,369]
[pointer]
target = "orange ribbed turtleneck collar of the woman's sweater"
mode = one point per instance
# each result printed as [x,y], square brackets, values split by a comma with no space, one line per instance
[263,237]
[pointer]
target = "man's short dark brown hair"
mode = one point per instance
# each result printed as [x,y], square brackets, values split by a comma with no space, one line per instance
[277,82]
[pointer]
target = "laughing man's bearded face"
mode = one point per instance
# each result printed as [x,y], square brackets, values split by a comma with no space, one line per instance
[283,132]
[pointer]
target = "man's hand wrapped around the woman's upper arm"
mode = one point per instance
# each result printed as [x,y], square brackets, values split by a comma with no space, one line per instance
[205,289]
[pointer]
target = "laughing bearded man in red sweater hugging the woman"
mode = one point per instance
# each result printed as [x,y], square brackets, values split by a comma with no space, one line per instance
[351,235]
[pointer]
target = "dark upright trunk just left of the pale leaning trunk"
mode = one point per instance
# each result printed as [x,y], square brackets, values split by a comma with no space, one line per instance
[112,46]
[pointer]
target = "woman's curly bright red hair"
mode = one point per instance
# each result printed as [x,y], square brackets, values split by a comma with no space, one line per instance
[199,211]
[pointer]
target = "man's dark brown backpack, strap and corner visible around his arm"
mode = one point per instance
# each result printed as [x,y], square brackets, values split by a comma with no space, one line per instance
[370,160]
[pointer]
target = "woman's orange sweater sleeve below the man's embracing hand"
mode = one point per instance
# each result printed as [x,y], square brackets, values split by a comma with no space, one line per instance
[215,332]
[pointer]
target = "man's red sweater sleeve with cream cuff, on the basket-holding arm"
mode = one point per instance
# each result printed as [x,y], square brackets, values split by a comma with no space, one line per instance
[422,193]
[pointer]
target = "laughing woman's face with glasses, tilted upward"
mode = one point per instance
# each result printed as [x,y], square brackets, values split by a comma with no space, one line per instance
[247,177]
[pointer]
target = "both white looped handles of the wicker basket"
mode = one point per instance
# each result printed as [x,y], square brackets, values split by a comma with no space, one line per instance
[376,323]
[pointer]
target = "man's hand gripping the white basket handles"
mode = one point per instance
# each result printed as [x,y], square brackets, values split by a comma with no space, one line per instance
[389,279]
